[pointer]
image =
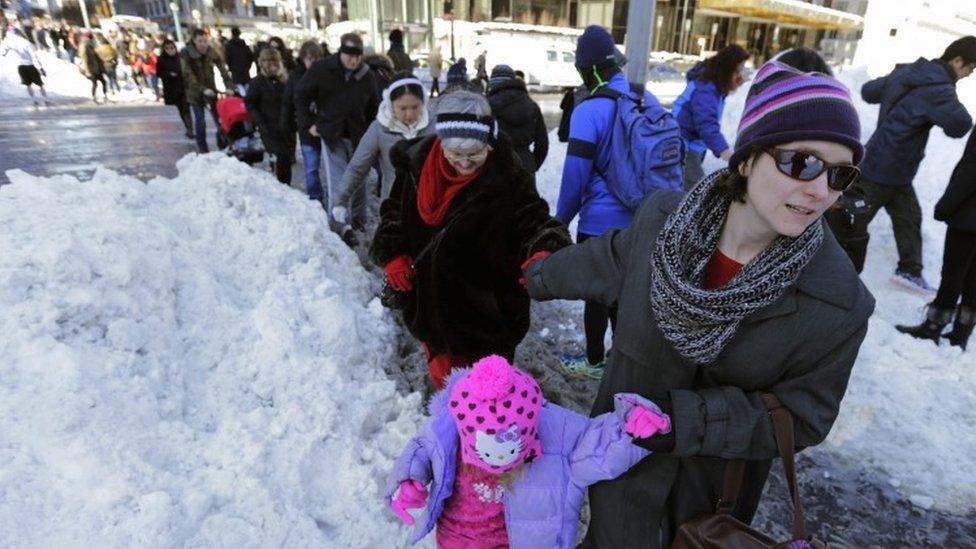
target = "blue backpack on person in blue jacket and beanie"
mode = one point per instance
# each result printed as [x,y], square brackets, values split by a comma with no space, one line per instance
[644,149]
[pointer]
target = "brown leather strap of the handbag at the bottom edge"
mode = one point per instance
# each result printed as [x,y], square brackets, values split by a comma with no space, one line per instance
[735,468]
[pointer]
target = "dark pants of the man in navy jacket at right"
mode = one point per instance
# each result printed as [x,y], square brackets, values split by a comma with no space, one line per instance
[906,220]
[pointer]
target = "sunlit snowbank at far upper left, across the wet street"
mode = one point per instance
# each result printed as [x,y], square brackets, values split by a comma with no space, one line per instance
[63,82]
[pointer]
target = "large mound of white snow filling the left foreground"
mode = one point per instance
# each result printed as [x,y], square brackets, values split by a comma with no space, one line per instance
[189,362]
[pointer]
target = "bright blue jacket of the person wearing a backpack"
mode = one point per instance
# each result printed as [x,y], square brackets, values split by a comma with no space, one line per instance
[583,191]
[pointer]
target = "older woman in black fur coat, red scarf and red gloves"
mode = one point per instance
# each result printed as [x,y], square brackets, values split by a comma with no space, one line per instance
[462,218]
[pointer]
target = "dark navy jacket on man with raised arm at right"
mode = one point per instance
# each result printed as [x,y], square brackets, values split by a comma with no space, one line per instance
[927,93]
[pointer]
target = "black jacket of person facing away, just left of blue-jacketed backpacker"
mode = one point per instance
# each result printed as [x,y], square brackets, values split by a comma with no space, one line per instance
[520,117]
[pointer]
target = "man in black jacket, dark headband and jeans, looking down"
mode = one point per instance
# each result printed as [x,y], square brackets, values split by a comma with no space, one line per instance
[343,90]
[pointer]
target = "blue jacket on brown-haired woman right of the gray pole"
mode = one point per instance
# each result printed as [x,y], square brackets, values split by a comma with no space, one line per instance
[699,112]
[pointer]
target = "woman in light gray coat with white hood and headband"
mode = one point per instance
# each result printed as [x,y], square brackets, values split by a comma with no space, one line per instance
[402,115]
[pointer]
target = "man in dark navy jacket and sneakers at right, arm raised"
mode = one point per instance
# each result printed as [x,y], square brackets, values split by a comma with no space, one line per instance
[913,98]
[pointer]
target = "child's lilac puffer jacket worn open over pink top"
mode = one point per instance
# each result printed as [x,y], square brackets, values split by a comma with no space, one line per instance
[542,507]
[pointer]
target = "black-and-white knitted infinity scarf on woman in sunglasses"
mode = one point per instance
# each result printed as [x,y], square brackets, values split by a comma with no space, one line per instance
[699,322]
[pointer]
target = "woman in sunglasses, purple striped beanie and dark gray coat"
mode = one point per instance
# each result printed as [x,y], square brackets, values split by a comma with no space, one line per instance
[730,291]
